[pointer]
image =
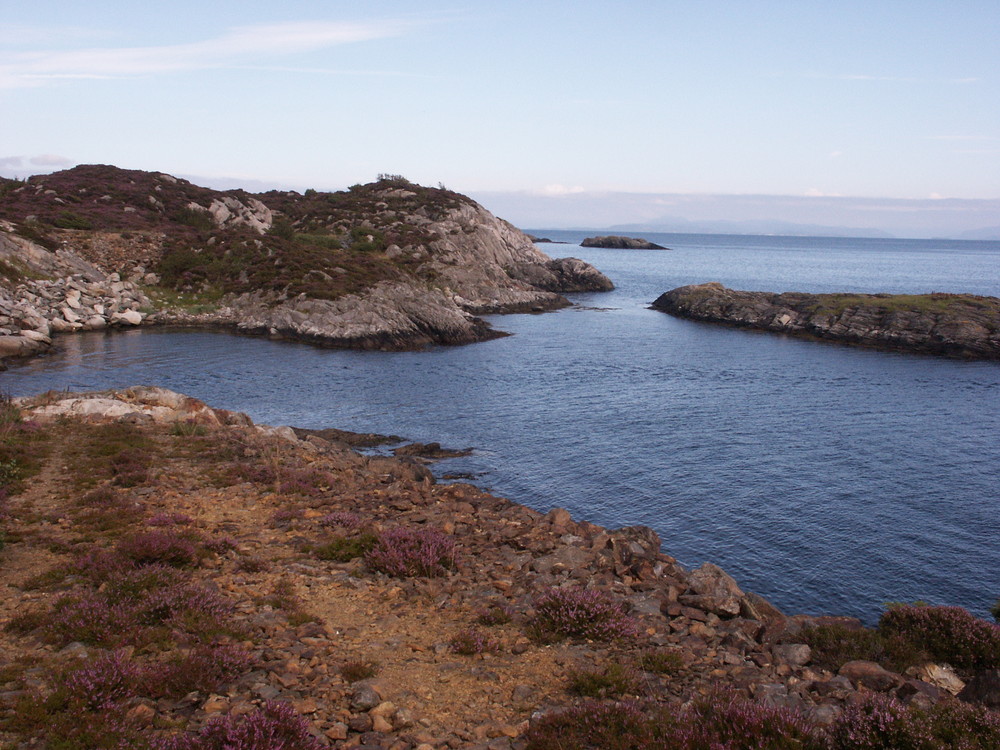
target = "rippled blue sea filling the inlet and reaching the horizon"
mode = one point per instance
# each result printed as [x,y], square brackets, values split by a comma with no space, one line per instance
[827,478]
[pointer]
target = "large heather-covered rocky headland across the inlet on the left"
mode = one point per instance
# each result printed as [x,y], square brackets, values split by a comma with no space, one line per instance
[388,265]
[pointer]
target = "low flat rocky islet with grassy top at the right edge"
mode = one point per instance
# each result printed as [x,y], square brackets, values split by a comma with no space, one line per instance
[955,325]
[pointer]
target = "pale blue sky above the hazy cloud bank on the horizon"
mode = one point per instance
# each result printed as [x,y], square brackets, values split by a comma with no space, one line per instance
[543,98]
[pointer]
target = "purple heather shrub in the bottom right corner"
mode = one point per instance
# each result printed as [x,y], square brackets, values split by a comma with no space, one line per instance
[883,722]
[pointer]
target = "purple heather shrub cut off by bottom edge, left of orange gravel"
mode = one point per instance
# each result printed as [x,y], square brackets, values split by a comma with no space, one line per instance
[275,726]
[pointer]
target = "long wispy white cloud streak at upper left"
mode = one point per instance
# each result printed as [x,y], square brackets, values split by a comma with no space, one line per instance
[239,45]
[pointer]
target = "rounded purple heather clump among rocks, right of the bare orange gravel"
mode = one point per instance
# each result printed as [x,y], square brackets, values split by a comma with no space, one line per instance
[580,613]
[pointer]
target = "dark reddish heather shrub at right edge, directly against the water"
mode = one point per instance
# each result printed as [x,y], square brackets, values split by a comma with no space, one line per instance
[949,634]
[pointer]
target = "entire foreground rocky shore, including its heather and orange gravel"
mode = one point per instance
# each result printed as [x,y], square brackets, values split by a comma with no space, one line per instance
[172,572]
